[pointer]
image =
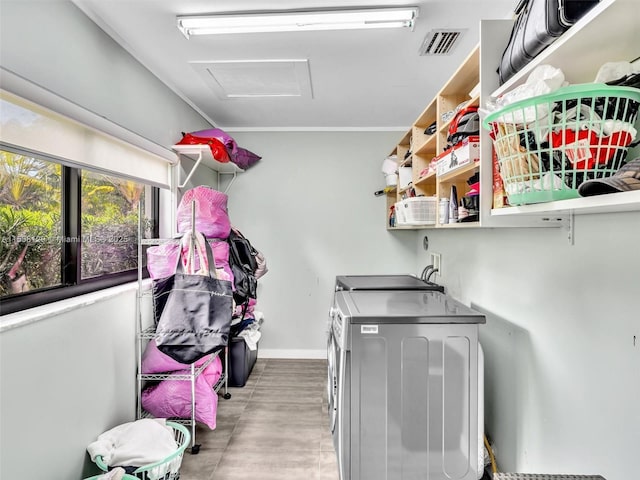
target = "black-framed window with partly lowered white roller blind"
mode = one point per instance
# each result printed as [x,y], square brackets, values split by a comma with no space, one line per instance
[70,198]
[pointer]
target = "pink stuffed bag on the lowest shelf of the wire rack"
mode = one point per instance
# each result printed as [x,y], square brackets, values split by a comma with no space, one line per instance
[172,398]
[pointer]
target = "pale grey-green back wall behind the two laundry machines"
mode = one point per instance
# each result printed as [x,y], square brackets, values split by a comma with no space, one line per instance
[308,205]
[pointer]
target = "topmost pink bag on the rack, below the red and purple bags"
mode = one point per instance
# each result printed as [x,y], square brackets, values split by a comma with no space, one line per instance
[212,218]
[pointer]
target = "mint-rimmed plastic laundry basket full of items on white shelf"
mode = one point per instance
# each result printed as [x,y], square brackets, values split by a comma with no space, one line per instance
[548,145]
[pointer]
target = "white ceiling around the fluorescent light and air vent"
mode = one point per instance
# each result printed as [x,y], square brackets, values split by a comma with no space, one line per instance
[341,79]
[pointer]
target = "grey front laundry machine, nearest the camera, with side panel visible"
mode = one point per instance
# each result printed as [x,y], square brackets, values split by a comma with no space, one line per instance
[404,386]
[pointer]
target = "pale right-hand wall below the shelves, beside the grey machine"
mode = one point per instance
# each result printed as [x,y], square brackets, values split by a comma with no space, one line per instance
[562,371]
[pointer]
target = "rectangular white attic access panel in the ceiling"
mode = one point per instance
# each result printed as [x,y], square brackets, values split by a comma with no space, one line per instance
[257,78]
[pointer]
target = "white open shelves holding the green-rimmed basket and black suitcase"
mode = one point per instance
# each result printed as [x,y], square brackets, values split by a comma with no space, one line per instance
[608,32]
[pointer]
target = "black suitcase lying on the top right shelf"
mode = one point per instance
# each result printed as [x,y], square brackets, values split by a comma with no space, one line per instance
[538,24]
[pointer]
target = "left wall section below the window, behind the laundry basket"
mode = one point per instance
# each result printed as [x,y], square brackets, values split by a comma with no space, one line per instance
[64,380]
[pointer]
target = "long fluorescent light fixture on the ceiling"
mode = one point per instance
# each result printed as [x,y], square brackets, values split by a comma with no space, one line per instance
[297,21]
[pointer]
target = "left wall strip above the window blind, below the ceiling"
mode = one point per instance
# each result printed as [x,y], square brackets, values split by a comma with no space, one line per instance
[53,44]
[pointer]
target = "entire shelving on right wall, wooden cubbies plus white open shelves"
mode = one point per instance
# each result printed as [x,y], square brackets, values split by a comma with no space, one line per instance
[608,32]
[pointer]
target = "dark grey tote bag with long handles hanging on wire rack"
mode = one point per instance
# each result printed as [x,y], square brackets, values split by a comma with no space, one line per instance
[196,317]
